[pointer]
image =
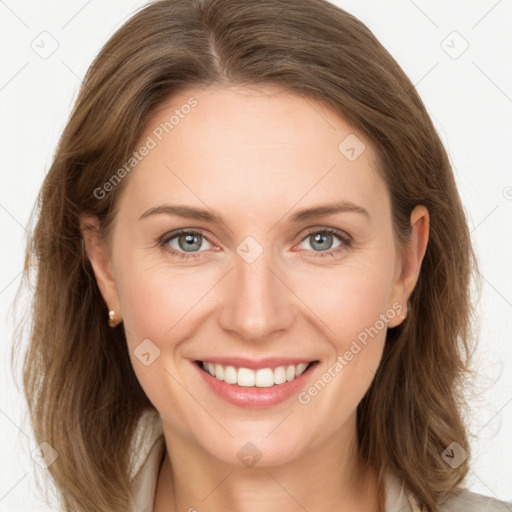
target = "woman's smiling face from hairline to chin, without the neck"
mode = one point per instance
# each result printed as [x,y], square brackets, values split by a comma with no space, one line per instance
[224,250]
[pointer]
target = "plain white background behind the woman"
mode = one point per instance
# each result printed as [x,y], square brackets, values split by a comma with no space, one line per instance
[469,99]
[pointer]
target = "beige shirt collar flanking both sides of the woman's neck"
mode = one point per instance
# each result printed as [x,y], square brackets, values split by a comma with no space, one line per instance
[147,450]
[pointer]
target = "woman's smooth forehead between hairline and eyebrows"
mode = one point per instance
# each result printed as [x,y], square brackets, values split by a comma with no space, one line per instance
[243,148]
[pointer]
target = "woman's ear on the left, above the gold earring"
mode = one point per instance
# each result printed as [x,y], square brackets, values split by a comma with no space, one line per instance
[98,254]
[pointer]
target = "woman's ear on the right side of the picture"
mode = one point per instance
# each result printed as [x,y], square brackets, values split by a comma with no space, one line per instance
[409,264]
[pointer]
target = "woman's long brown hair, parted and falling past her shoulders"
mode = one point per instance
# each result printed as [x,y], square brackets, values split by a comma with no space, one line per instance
[83,396]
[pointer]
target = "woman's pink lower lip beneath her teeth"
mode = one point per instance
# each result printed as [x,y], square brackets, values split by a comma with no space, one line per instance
[254,397]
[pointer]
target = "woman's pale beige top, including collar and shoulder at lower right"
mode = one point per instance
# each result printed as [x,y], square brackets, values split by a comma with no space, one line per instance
[148,449]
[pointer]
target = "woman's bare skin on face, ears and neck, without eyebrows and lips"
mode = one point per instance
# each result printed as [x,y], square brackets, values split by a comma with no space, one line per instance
[256,157]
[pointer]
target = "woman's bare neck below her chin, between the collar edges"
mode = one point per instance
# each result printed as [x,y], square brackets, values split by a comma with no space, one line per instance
[324,477]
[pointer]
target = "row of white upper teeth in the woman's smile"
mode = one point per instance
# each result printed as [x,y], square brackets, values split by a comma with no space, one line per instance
[263,378]
